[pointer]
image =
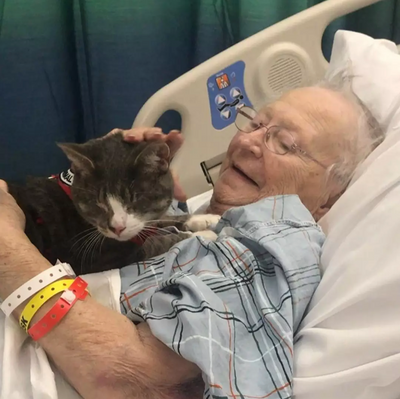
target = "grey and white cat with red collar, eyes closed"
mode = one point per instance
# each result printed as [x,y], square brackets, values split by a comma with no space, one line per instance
[109,209]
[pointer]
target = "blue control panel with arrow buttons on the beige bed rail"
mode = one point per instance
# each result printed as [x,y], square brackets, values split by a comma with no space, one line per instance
[226,93]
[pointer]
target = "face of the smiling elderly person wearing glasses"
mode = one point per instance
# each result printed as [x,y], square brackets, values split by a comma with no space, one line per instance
[317,119]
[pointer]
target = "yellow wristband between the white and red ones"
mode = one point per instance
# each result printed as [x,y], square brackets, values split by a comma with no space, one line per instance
[40,299]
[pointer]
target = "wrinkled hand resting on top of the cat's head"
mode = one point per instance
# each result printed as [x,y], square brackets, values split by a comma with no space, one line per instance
[173,139]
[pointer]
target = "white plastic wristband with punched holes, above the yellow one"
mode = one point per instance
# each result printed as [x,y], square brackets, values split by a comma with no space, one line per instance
[34,285]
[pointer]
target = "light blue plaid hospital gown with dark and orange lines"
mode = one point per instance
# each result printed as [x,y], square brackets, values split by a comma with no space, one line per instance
[232,306]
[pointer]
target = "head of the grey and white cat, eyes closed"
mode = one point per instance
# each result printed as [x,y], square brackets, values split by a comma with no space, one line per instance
[119,186]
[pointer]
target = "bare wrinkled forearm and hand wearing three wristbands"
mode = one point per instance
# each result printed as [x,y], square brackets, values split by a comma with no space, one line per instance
[99,351]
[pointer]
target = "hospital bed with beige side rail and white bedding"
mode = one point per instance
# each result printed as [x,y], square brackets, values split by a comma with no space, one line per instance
[348,346]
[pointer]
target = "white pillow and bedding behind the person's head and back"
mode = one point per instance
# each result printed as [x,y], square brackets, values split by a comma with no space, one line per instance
[349,343]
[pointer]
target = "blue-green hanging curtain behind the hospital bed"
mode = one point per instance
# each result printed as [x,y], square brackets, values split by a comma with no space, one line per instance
[71,70]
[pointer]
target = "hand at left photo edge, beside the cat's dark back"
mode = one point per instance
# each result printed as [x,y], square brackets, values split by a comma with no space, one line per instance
[11,215]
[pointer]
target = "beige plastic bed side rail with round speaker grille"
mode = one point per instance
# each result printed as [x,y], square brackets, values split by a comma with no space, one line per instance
[281,57]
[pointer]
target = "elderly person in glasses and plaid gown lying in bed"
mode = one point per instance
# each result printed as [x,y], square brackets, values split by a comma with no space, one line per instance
[226,309]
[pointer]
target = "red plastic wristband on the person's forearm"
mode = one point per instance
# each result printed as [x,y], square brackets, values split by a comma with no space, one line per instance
[76,291]
